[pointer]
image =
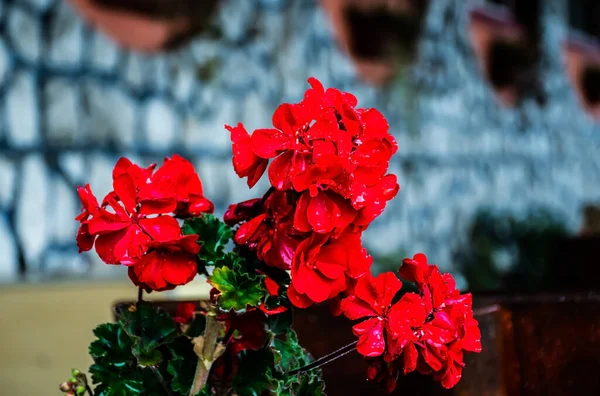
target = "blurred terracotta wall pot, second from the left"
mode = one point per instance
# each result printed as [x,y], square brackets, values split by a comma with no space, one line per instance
[376,33]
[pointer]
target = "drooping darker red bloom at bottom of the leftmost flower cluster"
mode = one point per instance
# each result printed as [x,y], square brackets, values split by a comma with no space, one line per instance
[166,264]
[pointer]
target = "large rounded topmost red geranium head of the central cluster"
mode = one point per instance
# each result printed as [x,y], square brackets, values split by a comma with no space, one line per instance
[336,156]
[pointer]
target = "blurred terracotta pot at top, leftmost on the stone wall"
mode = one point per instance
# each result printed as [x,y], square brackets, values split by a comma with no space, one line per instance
[149,26]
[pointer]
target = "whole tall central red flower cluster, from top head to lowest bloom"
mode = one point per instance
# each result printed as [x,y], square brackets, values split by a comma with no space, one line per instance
[329,182]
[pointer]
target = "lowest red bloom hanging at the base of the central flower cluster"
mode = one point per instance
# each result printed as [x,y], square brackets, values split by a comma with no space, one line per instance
[321,265]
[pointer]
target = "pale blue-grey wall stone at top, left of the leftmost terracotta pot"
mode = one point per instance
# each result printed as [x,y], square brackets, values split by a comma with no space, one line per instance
[66,36]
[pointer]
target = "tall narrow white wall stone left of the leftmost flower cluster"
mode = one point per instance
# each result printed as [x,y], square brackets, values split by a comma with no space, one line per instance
[32,209]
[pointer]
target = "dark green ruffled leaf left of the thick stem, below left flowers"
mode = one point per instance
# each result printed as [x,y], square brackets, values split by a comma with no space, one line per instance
[148,327]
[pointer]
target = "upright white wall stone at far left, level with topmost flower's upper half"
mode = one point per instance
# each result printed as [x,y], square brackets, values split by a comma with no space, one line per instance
[22,111]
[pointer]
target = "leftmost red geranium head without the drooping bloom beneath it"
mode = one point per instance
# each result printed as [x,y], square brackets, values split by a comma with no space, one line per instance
[134,214]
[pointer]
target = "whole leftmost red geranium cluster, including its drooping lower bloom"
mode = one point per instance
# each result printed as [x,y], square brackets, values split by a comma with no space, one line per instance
[136,223]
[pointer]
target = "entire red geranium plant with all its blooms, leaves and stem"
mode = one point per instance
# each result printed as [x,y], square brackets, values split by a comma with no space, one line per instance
[297,246]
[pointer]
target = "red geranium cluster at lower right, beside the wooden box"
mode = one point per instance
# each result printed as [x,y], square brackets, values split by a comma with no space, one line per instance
[427,331]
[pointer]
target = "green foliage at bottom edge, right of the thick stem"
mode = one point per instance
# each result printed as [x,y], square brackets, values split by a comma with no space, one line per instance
[267,370]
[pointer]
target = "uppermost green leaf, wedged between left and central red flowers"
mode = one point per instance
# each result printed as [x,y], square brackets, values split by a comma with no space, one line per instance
[213,236]
